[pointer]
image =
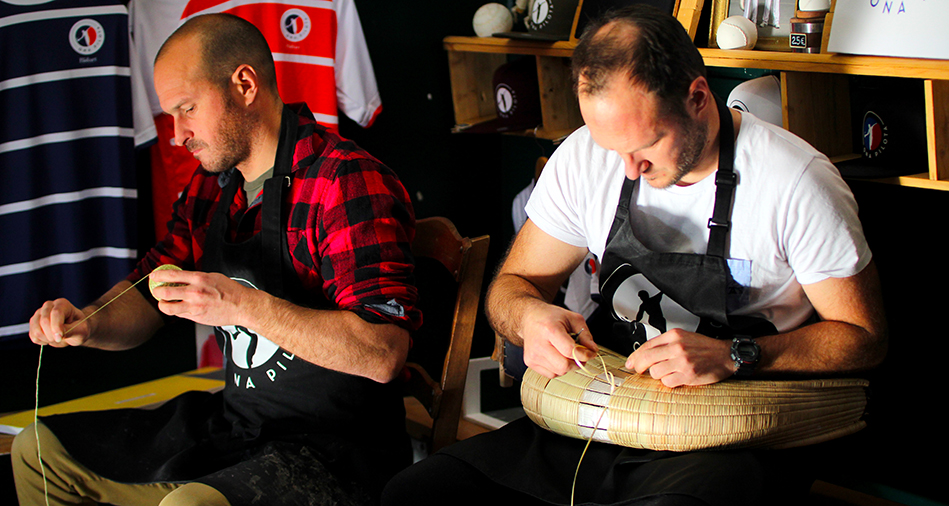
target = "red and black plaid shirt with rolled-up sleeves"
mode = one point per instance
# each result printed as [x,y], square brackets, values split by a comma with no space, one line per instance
[351,223]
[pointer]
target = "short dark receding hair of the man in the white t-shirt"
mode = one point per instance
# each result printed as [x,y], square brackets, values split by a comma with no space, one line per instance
[648,46]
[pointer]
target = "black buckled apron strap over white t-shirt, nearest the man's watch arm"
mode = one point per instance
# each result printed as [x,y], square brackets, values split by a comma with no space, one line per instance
[725,180]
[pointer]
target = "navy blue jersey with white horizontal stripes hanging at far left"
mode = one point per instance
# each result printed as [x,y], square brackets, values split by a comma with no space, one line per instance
[67,212]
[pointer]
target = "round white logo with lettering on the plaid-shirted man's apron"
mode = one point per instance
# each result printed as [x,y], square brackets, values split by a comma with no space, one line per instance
[249,350]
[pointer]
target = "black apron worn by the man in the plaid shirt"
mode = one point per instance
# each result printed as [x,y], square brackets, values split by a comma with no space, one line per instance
[275,407]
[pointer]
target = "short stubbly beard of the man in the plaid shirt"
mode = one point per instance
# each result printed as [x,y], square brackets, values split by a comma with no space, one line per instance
[234,139]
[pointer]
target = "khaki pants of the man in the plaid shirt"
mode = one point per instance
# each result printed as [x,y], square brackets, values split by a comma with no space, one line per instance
[69,482]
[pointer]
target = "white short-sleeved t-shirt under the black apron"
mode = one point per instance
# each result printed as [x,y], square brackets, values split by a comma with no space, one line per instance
[794,220]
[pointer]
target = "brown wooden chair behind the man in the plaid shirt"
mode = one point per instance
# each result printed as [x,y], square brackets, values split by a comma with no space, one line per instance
[449,274]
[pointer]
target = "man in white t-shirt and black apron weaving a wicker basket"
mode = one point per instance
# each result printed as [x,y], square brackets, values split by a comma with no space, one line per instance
[738,237]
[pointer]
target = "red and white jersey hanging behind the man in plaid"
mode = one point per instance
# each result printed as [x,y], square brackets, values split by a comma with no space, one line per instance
[320,56]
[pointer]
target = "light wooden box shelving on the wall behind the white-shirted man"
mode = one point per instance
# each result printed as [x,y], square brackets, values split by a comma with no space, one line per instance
[818,80]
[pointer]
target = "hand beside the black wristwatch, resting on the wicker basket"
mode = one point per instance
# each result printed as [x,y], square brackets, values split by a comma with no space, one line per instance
[679,357]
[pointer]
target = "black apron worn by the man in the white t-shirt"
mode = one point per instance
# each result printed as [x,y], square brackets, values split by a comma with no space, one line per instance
[524,457]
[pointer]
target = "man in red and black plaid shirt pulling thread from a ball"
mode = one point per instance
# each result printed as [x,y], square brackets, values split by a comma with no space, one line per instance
[293,244]
